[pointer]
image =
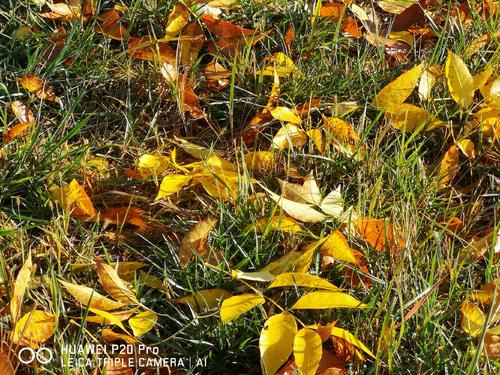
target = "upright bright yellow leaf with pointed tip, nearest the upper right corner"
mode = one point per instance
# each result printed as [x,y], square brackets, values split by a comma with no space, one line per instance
[460,82]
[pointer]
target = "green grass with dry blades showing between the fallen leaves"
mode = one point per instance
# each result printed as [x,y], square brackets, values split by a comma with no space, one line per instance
[117,108]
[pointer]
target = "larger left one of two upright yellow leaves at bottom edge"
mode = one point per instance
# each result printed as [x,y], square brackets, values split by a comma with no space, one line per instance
[276,341]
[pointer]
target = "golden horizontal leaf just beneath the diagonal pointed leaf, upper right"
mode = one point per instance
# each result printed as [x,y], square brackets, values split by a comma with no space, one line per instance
[408,117]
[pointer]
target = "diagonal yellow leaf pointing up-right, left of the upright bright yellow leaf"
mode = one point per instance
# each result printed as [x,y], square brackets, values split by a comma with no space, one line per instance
[398,90]
